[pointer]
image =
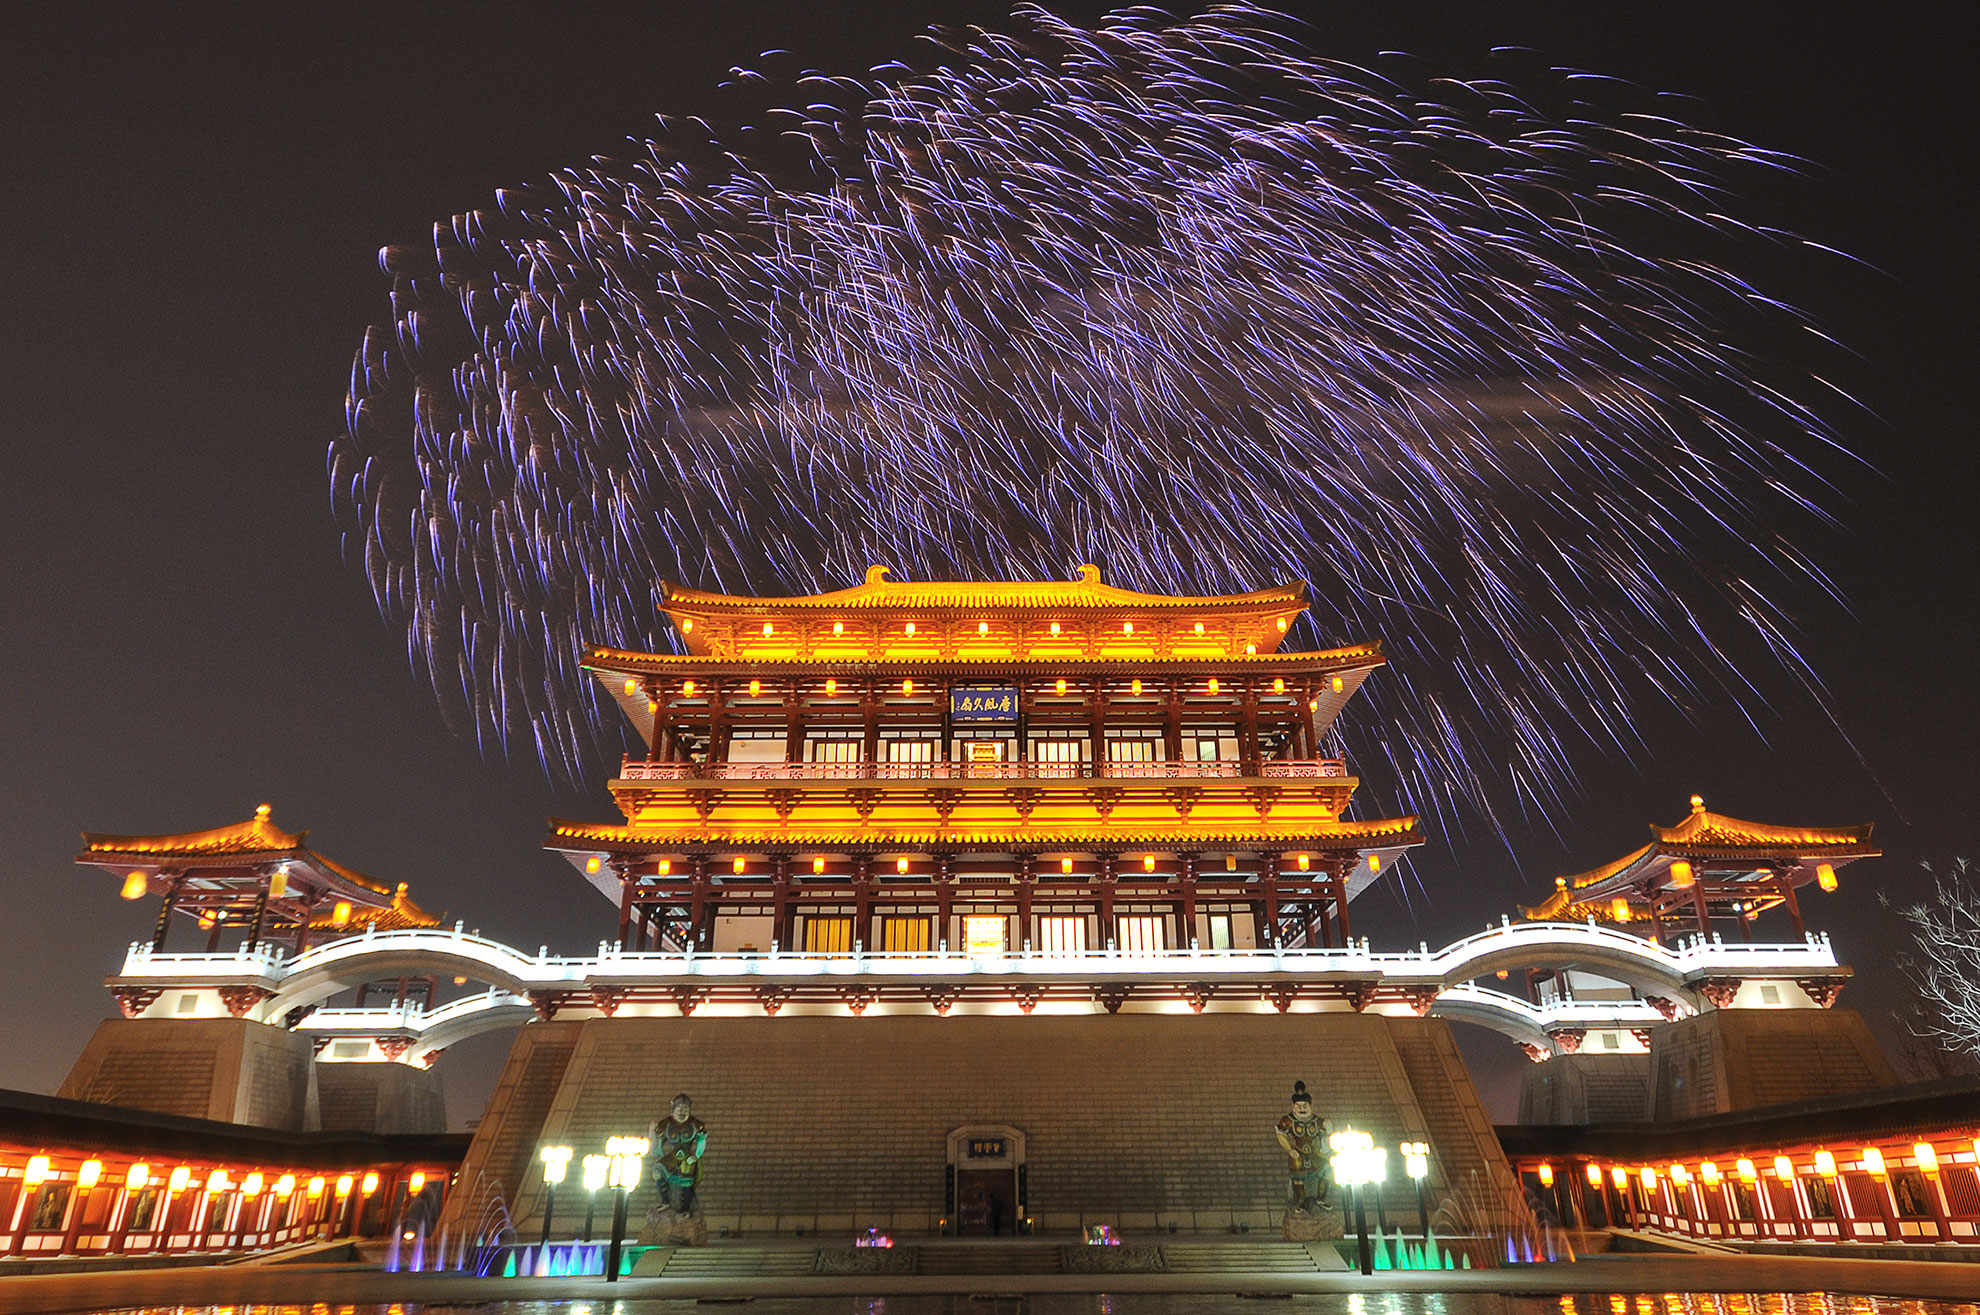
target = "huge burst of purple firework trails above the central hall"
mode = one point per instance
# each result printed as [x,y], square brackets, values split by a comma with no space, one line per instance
[1177,298]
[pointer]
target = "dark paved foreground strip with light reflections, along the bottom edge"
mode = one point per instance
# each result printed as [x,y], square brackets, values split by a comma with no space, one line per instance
[1597,1286]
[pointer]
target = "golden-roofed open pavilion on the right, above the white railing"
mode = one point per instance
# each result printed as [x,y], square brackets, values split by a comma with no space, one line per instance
[1710,868]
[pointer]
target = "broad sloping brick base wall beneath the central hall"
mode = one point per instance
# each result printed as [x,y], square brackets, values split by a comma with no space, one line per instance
[839,1124]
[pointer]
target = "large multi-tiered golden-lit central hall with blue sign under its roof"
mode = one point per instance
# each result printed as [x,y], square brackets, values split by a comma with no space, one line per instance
[995,769]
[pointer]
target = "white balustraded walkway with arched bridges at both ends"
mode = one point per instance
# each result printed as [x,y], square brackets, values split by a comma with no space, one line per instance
[1672,981]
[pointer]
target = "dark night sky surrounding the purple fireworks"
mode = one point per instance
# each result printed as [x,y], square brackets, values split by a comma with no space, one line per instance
[195,199]
